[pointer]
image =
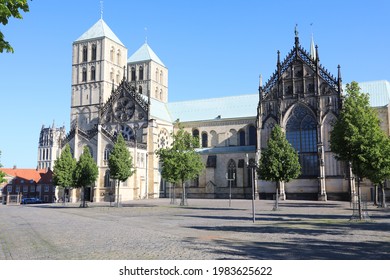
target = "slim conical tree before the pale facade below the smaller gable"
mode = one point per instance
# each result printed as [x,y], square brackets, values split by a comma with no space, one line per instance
[120,163]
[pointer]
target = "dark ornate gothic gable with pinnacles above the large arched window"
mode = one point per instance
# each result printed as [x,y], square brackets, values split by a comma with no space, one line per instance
[300,78]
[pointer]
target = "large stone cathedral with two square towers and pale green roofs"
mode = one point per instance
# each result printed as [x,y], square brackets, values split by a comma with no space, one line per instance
[113,92]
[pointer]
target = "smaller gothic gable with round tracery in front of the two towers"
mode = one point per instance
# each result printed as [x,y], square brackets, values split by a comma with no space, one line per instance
[126,111]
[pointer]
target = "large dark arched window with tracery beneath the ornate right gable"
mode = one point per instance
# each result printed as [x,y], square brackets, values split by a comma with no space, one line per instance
[301,132]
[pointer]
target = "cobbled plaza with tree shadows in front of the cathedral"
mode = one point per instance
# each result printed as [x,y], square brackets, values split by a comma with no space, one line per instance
[204,230]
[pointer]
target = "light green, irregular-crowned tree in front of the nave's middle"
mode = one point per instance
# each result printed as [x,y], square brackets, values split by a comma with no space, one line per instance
[181,162]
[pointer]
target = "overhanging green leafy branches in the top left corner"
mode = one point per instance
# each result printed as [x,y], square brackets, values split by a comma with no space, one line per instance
[10,8]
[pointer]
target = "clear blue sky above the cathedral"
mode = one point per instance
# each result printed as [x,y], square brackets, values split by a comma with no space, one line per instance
[212,48]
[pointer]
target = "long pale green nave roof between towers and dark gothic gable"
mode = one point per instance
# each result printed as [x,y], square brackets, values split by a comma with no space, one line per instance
[241,106]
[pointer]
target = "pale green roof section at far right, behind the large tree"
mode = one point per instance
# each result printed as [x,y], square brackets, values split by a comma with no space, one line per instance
[379,92]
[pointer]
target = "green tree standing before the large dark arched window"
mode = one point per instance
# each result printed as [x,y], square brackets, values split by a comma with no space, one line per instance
[279,162]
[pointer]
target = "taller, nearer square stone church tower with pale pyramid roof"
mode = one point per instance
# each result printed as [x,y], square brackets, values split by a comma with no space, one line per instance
[98,62]
